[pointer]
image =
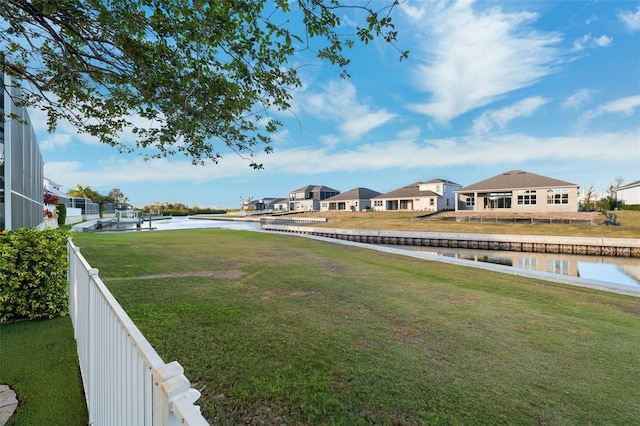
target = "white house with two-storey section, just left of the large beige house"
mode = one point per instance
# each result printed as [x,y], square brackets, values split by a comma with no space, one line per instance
[432,195]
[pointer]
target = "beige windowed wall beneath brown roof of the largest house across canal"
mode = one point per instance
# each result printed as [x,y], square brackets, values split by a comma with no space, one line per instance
[530,200]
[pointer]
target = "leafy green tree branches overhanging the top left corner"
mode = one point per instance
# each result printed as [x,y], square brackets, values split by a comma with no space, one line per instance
[200,74]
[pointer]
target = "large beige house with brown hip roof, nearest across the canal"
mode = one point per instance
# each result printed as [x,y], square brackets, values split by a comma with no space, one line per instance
[518,191]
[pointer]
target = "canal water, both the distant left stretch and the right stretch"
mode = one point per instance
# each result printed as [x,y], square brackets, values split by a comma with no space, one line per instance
[616,270]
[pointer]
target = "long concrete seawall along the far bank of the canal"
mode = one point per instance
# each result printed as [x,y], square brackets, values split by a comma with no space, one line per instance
[621,247]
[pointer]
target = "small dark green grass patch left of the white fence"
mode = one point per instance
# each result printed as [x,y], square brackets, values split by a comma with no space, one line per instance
[38,360]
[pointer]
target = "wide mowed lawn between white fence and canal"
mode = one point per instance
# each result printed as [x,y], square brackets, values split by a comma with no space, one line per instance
[279,329]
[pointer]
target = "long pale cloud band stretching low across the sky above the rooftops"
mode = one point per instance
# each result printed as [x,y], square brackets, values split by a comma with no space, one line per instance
[406,151]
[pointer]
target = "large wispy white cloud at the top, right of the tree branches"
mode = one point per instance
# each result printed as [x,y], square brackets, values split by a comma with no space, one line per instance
[474,57]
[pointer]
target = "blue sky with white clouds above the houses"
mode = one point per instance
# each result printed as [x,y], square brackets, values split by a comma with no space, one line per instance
[552,88]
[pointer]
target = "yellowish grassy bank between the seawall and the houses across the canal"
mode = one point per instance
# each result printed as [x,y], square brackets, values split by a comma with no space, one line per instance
[405,221]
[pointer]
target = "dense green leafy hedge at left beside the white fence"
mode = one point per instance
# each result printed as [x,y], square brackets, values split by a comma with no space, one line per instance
[33,274]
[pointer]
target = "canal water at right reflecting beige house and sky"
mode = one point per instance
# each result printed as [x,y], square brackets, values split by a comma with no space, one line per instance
[619,270]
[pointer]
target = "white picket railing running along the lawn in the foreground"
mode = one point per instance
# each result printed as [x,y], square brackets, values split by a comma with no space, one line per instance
[125,380]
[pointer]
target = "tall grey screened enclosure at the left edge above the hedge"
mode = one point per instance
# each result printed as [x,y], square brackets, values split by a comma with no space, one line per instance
[21,164]
